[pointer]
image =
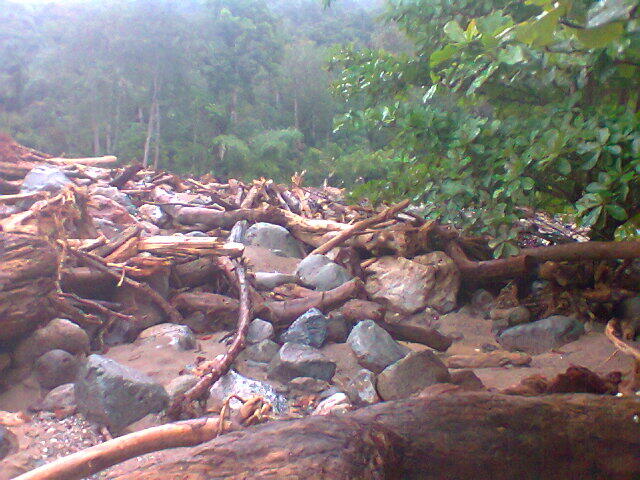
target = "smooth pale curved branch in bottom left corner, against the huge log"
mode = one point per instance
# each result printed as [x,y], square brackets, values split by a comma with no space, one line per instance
[95,459]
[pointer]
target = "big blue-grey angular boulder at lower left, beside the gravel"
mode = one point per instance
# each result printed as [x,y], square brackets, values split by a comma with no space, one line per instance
[116,395]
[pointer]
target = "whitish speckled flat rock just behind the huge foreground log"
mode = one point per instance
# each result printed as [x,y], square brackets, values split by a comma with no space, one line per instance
[235,384]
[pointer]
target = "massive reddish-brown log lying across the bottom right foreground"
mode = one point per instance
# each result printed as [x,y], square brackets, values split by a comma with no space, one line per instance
[471,436]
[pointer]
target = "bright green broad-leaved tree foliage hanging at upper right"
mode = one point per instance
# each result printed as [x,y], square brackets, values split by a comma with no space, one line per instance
[504,105]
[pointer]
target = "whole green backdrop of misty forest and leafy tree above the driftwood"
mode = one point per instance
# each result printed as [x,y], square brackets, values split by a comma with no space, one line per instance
[476,109]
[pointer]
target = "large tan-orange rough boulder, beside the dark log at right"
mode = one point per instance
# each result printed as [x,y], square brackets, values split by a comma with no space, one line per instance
[408,286]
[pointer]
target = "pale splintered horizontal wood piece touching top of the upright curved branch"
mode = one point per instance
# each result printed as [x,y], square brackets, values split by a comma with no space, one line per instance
[173,245]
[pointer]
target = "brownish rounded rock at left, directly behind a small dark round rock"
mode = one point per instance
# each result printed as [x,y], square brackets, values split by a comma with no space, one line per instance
[58,334]
